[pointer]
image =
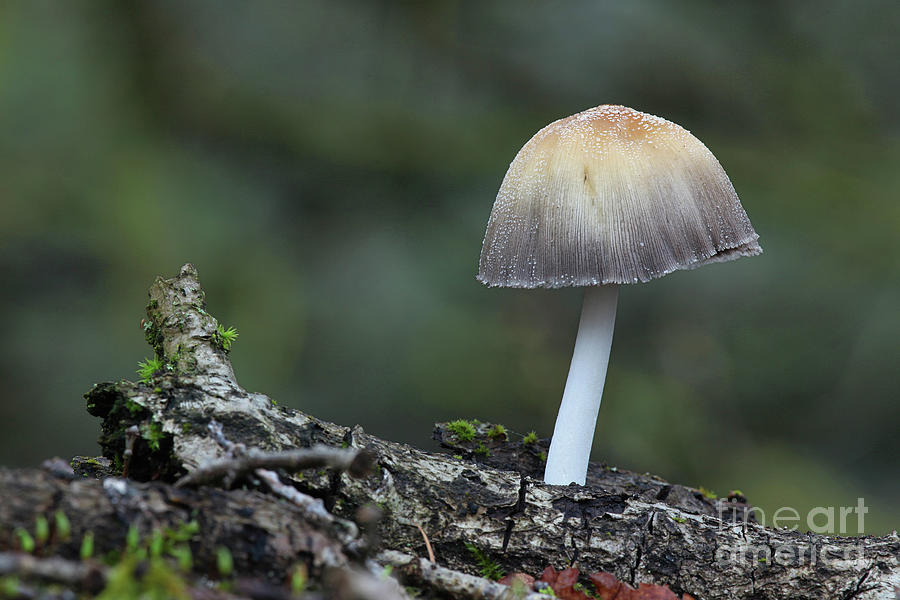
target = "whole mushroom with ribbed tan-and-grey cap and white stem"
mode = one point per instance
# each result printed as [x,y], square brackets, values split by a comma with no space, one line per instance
[605,197]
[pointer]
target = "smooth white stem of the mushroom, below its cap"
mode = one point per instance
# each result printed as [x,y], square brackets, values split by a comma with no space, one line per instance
[570,447]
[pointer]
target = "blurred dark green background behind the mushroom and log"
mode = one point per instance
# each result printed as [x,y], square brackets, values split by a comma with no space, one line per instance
[329,167]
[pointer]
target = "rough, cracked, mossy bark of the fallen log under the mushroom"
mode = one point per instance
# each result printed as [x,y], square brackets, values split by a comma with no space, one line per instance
[487,493]
